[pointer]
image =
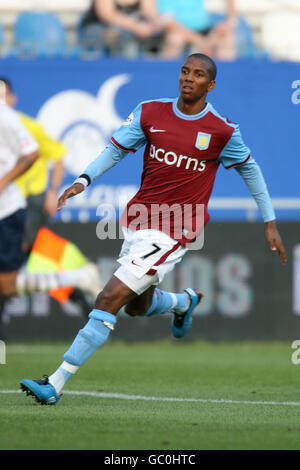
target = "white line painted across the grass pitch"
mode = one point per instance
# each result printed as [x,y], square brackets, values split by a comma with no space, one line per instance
[122,396]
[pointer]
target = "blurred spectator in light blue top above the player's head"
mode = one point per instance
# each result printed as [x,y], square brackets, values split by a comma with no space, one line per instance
[193,15]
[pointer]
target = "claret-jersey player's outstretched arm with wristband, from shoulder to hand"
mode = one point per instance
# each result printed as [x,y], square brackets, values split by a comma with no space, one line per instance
[127,139]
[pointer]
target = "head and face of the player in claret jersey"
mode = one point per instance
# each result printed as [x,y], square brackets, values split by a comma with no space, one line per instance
[194,80]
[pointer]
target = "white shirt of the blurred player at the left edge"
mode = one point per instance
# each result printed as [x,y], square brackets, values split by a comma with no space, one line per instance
[15,141]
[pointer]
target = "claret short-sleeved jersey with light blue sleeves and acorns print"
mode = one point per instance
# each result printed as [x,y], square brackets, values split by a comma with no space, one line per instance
[182,155]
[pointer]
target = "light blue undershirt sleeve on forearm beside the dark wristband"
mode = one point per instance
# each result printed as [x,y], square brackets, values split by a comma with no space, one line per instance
[106,160]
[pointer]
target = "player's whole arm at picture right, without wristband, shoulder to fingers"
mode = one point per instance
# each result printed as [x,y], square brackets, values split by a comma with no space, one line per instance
[236,155]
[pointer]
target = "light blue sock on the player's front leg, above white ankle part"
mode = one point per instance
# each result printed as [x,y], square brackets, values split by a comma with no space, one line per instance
[91,337]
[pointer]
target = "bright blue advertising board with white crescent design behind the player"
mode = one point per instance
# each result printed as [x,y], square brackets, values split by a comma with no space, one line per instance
[83,102]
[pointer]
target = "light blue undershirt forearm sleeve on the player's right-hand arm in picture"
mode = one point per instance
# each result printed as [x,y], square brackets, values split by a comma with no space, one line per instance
[253,177]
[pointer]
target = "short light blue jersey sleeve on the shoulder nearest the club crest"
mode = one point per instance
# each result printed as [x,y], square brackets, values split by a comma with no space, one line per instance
[235,151]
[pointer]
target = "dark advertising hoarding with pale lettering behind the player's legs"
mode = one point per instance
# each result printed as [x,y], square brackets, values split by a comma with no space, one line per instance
[248,294]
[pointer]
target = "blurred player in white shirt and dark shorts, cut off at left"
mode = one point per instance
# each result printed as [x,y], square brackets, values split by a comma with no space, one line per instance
[19,151]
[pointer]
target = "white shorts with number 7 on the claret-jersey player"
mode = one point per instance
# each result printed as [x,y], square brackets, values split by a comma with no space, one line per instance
[146,256]
